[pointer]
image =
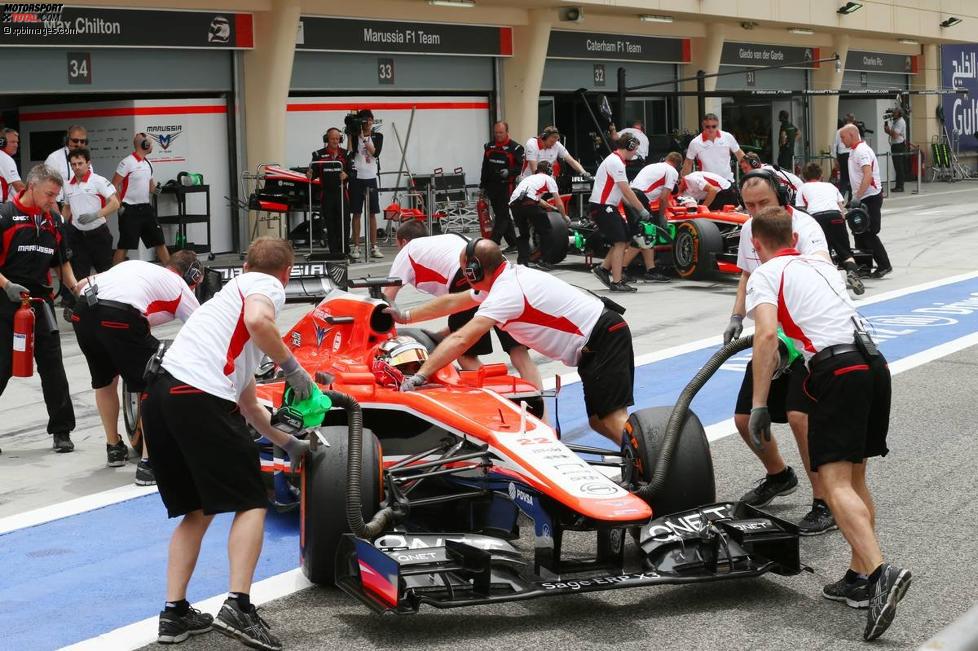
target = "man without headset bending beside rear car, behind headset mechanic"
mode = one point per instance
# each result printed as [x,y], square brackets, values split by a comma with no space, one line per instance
[654,182]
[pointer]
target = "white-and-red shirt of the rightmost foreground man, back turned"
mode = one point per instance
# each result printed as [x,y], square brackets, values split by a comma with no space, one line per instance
[814,311]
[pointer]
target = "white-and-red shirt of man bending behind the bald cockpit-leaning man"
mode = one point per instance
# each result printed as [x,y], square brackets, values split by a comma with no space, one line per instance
[429,263]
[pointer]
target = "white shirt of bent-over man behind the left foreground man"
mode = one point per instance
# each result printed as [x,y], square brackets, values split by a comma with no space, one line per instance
[160,294]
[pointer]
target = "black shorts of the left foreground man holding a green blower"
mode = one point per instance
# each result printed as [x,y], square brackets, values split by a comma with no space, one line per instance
[204,457]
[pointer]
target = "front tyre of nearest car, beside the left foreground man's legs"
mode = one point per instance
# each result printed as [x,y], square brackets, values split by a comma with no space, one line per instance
[322,520]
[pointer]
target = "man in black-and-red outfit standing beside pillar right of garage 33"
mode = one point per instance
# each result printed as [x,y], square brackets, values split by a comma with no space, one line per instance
[502,160]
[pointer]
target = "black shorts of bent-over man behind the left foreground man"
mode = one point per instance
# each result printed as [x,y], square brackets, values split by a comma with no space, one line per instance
[114,342]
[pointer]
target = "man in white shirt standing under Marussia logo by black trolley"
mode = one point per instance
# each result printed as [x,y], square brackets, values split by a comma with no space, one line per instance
[134,182]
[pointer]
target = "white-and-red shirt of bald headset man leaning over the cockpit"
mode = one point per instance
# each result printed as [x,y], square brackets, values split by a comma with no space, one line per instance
[541,312]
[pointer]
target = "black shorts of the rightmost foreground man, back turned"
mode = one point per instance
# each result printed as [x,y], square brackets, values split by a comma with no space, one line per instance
[850,415]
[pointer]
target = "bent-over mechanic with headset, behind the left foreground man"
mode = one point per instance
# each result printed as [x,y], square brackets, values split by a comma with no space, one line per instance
[112,322]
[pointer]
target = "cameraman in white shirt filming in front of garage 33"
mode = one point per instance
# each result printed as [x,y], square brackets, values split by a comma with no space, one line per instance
[364,151]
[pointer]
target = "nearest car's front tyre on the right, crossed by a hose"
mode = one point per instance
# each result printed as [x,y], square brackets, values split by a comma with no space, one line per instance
[689,482]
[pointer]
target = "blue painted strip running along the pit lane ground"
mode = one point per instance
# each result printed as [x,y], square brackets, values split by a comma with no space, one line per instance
[77,577]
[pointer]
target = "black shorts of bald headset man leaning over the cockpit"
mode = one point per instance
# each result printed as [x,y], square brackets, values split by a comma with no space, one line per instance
[607,366]
